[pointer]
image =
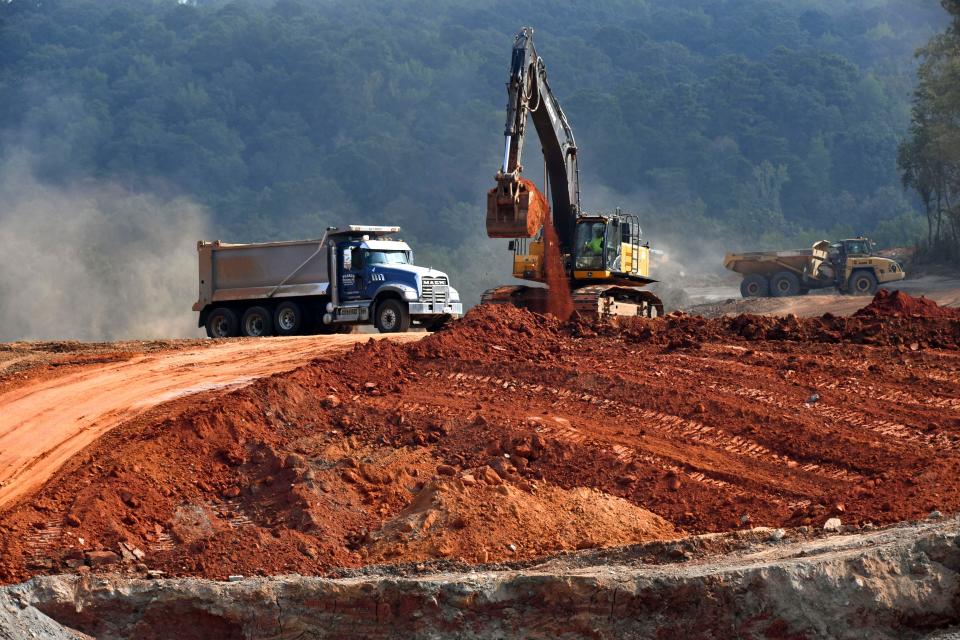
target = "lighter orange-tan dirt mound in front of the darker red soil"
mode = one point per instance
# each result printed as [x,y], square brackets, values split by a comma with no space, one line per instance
[477,517]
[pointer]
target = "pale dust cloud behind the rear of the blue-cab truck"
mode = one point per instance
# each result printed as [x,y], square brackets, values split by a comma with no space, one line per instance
[94,261]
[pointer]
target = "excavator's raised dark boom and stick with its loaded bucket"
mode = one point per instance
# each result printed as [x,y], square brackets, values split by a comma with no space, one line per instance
[514,207]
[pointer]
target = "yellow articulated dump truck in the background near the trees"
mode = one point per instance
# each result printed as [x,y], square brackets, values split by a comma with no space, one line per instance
[849,265]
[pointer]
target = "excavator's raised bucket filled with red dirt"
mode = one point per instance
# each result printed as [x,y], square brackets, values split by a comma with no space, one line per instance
[515,208]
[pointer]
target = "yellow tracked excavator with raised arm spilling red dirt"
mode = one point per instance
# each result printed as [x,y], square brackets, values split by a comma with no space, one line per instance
[601,254]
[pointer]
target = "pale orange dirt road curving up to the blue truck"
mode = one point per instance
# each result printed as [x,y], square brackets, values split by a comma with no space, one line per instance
[45,422]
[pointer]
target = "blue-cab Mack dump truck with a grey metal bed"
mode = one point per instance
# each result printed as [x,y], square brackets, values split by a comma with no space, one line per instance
[351,276]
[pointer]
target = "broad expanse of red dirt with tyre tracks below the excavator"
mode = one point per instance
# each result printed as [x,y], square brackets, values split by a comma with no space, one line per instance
[510,428]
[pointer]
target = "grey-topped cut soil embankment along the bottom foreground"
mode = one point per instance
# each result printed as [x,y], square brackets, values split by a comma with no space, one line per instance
[900,583]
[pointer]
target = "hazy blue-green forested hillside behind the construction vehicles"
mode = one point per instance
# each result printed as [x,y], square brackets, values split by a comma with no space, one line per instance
[752,120]
